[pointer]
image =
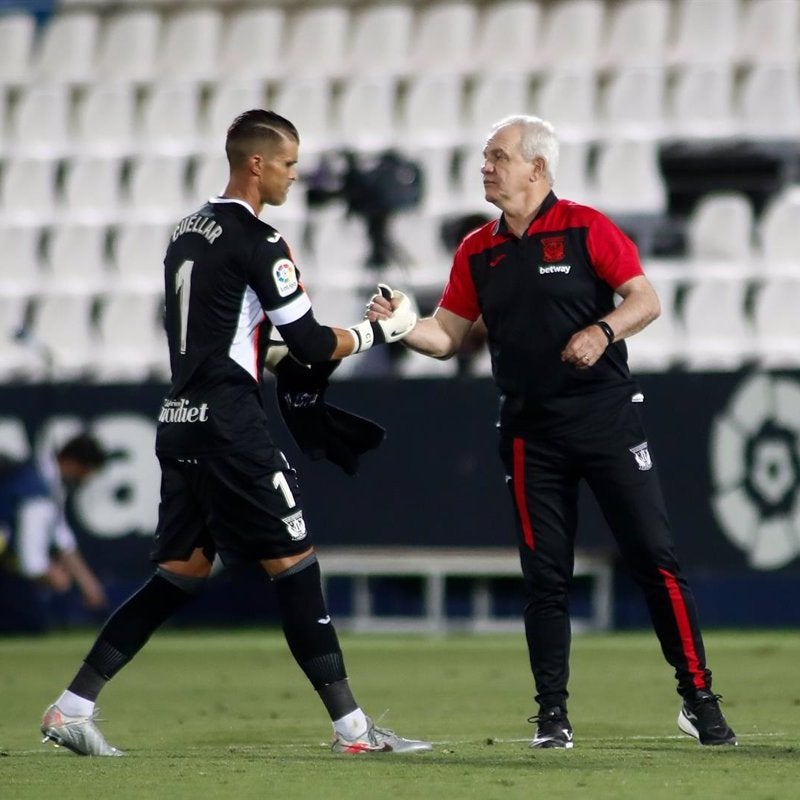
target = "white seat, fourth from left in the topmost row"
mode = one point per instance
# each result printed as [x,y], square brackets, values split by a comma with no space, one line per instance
[190,44]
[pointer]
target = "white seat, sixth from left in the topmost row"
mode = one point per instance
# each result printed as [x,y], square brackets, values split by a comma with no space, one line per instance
[317,42]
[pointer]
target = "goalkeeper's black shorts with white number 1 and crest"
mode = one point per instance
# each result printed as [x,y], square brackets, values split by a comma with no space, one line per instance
[243,506]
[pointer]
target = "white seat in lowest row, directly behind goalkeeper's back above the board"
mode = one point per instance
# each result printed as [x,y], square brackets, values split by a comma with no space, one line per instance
[120,357]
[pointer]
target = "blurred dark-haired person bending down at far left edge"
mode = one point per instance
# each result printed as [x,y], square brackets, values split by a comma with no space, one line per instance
[39,556]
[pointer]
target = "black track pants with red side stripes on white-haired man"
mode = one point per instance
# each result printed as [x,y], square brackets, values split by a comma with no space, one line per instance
[607,448]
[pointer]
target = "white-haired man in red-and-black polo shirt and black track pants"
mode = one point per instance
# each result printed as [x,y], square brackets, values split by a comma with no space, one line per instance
[544,278]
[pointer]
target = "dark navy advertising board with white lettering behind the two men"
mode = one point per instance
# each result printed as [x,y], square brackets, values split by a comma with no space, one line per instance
[726,445]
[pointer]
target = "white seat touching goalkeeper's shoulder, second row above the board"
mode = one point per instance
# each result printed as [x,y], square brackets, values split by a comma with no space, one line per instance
[137,256]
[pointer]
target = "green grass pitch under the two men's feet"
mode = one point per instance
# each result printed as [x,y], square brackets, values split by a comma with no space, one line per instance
[214,714]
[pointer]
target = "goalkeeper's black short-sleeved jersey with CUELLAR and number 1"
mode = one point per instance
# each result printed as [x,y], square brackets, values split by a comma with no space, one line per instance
[229,277]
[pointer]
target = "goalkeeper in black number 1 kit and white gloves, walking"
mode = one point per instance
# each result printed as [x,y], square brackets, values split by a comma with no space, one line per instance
[226,489]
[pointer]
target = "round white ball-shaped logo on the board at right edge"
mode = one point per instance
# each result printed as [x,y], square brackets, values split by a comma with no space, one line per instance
[755,470]
